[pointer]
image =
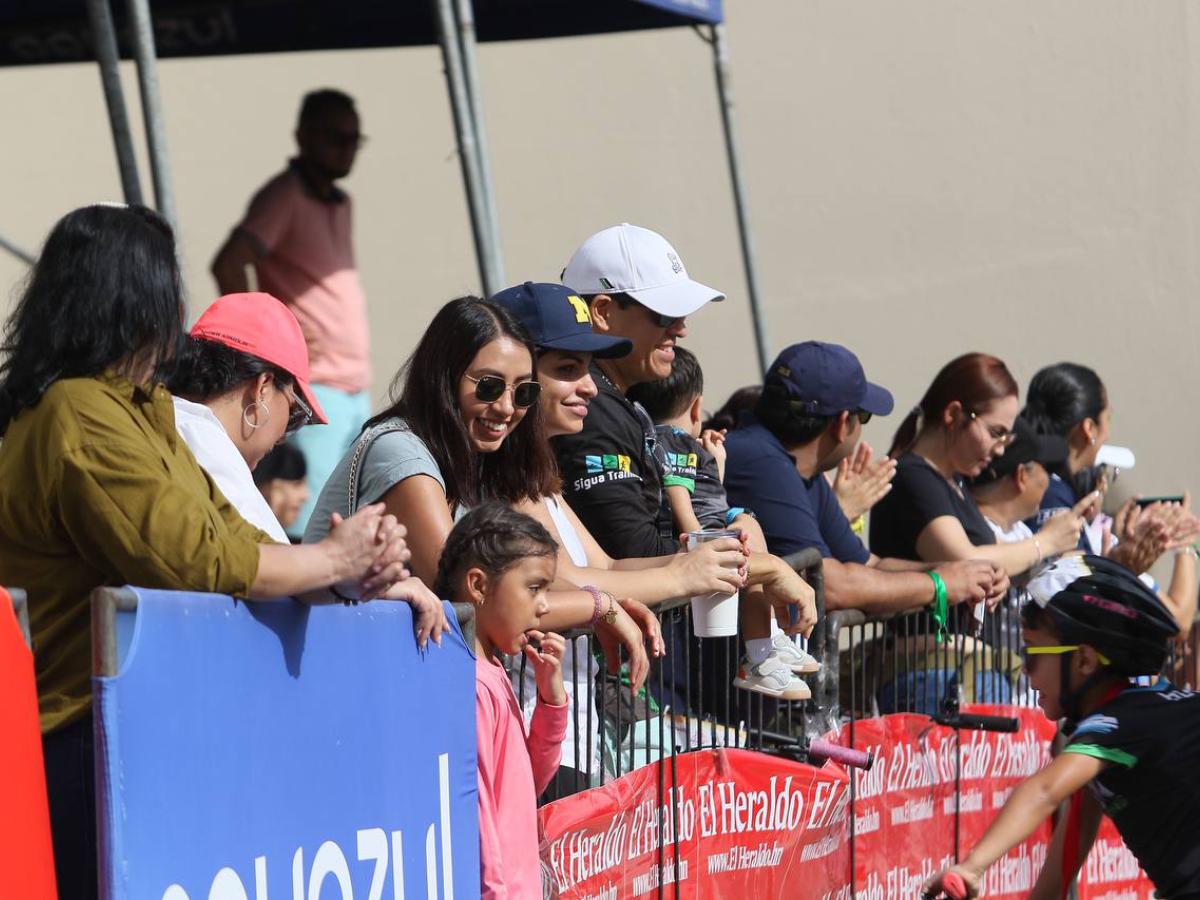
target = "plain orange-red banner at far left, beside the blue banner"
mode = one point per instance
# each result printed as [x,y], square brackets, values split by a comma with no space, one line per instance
[27,861]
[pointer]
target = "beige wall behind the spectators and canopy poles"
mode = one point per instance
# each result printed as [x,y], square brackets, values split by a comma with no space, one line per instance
[926,178]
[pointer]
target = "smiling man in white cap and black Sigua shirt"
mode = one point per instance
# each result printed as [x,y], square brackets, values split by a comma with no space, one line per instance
[635,286]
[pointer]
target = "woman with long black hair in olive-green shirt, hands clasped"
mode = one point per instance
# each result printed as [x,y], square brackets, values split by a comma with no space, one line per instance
[98,489]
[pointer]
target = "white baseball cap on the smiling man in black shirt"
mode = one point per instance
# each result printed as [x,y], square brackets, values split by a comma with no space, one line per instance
[627,260]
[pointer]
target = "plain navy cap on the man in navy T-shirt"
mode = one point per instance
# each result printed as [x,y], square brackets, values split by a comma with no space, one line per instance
[827,380]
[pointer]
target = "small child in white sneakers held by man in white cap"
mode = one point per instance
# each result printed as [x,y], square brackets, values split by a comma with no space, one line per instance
[693,477]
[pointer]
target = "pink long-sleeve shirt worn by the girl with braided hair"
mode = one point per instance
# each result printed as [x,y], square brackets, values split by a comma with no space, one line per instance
[513,771]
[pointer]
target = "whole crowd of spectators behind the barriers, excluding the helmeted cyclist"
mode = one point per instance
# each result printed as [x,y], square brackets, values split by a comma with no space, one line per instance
[542,457]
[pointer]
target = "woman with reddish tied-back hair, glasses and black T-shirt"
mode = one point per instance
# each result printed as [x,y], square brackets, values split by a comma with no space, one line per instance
[962,425]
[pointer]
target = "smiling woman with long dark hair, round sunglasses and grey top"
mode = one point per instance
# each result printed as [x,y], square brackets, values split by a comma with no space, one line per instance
[465,427]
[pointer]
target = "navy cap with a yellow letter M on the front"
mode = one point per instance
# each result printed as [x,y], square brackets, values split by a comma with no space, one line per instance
[559,320]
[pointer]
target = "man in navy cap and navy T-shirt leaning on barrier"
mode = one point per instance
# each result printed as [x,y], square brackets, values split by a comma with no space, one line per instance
[814,405]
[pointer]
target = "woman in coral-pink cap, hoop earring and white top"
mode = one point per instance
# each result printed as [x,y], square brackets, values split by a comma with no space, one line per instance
[241,387]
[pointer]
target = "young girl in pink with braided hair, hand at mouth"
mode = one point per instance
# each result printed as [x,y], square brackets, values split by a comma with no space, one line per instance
[502,562]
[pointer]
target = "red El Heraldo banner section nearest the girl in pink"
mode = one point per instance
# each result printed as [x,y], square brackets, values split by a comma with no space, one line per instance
[746,823]
